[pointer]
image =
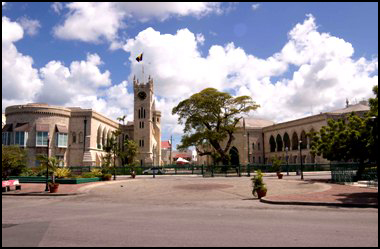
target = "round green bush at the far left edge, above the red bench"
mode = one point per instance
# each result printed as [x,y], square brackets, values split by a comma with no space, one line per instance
[13,160]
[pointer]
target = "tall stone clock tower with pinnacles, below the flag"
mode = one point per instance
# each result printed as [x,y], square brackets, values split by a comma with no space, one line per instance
[147,128]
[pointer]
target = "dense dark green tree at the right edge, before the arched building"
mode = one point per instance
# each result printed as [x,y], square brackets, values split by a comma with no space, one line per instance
[352,138]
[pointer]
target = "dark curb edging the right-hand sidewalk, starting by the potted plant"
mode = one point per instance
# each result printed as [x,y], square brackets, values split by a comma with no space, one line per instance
[328,204]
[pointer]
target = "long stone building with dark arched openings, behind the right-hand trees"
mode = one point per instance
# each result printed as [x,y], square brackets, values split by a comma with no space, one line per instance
[258,141]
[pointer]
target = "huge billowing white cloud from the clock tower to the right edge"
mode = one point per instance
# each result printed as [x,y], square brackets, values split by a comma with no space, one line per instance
[322,65]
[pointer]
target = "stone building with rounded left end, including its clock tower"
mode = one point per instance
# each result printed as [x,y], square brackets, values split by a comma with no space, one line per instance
[77,136]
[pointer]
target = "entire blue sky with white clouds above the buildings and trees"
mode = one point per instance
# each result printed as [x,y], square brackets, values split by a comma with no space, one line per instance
[293,59]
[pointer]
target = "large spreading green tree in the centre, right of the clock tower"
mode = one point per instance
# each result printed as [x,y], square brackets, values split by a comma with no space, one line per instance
[210,117]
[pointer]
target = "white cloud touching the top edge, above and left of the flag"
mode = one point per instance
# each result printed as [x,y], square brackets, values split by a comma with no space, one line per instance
[101,21]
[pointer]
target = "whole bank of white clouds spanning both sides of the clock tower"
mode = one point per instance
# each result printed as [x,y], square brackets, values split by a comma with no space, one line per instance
[324,74]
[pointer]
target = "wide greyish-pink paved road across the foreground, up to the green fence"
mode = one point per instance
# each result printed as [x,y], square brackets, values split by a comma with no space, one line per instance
[176,212]
